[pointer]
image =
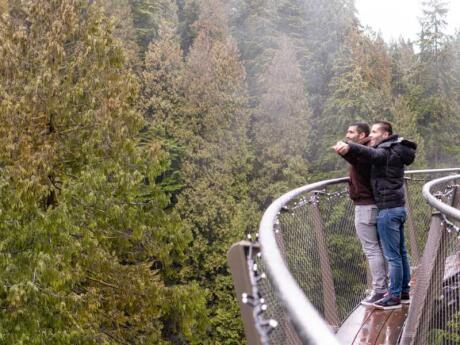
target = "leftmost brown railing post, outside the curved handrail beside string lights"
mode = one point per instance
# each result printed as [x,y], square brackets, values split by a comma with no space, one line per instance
[237,260]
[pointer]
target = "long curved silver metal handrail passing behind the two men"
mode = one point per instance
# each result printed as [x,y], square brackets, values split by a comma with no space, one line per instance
[308,323]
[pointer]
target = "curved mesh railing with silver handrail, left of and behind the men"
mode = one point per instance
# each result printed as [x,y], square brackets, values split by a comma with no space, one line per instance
[317,273]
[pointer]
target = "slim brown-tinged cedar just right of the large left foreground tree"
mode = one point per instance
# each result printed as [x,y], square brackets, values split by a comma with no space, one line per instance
[163,97]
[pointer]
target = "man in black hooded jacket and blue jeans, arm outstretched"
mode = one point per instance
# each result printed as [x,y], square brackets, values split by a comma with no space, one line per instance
[389,154]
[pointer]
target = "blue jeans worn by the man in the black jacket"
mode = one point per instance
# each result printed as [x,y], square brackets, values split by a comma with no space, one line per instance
[390,226]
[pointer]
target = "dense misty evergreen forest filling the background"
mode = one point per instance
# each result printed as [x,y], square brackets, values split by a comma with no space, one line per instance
[141,138]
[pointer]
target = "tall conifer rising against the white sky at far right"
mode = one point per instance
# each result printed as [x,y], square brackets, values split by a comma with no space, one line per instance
[433,97]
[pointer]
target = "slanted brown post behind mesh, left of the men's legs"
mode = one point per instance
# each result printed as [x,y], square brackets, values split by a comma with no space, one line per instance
[329,296]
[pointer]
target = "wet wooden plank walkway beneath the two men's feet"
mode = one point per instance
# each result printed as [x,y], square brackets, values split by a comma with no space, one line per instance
[370,326]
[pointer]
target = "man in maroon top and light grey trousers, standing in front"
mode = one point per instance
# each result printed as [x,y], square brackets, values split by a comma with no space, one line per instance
[366,213]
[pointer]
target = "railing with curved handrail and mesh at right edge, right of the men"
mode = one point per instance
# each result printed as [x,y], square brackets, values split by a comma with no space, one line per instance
[434,314]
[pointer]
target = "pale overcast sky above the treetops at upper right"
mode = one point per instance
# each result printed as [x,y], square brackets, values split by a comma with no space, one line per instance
[395,18]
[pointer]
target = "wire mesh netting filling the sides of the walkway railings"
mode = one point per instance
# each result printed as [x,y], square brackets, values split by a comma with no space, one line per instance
[316,237]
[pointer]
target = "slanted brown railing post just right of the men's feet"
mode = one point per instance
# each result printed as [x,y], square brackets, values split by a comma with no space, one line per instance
[429,284]
